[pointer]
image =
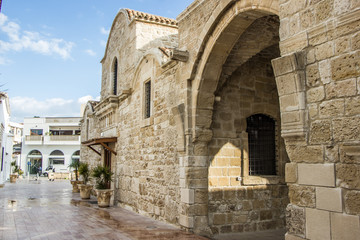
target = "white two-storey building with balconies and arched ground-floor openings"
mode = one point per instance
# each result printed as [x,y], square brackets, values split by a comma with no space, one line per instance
[50,141]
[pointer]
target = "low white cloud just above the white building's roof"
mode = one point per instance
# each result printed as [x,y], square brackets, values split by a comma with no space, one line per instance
[54,107]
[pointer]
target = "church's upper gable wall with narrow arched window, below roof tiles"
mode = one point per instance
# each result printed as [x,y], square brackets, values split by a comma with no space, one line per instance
[128,42]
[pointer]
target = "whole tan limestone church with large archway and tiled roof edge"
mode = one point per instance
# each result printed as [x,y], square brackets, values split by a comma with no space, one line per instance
[238,116]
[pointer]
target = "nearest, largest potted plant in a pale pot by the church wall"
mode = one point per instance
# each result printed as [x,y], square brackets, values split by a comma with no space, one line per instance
[103,177]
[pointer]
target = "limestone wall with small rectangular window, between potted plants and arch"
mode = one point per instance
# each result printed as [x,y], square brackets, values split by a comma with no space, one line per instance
[147,162]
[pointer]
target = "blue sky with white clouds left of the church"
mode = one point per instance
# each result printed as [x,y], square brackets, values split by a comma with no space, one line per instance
[50,51]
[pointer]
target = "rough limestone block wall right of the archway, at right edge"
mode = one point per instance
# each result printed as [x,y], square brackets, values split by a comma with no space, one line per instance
[323,176]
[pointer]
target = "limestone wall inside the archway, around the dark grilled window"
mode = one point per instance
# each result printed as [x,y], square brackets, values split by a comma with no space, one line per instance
[249,204]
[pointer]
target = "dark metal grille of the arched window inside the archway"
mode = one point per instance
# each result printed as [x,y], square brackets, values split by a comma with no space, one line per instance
[261,135]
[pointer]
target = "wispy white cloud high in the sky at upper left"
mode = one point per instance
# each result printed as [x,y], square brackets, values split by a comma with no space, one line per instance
[33,41]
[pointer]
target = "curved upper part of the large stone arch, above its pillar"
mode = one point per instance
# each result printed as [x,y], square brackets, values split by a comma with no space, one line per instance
[217,46]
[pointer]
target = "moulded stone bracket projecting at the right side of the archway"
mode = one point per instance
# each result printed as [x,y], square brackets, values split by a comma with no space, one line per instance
[290,80]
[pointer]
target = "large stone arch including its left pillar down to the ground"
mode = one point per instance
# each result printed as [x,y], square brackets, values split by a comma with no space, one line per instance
[228,23]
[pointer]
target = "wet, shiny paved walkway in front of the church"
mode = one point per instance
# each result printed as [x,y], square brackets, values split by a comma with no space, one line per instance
[49,210]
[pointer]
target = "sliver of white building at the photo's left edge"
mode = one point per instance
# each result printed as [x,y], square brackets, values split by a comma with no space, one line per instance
[5,138]
